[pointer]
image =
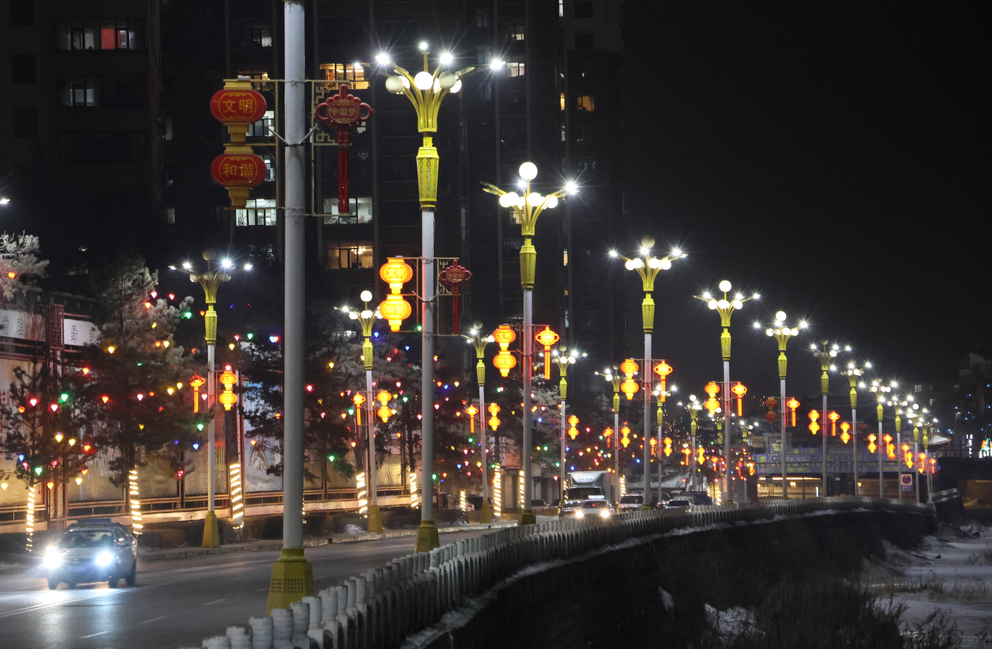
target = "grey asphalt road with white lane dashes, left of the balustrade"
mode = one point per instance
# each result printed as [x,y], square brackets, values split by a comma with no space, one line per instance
[176,602]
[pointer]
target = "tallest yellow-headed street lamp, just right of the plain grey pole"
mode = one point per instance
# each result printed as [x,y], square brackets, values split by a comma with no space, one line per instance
[426,91]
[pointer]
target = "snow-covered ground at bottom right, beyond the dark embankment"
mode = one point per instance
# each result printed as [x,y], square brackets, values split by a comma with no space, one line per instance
[950,572]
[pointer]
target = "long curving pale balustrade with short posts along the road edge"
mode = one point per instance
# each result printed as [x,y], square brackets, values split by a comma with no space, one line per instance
[380,608]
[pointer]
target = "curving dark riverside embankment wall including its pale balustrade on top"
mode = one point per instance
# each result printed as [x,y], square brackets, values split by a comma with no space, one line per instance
[582,587]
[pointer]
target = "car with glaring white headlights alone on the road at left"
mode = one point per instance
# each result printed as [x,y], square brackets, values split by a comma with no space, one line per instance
[95,550]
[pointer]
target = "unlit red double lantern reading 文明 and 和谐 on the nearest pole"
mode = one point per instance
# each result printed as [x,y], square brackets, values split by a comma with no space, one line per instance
[237,106]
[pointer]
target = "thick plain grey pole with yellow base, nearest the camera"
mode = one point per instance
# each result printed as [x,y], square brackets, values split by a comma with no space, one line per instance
[292,575]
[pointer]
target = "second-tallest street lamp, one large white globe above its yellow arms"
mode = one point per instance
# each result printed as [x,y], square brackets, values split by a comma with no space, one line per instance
[526,210]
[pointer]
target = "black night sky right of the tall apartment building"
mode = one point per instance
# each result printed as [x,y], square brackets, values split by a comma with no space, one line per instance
[834,158]
